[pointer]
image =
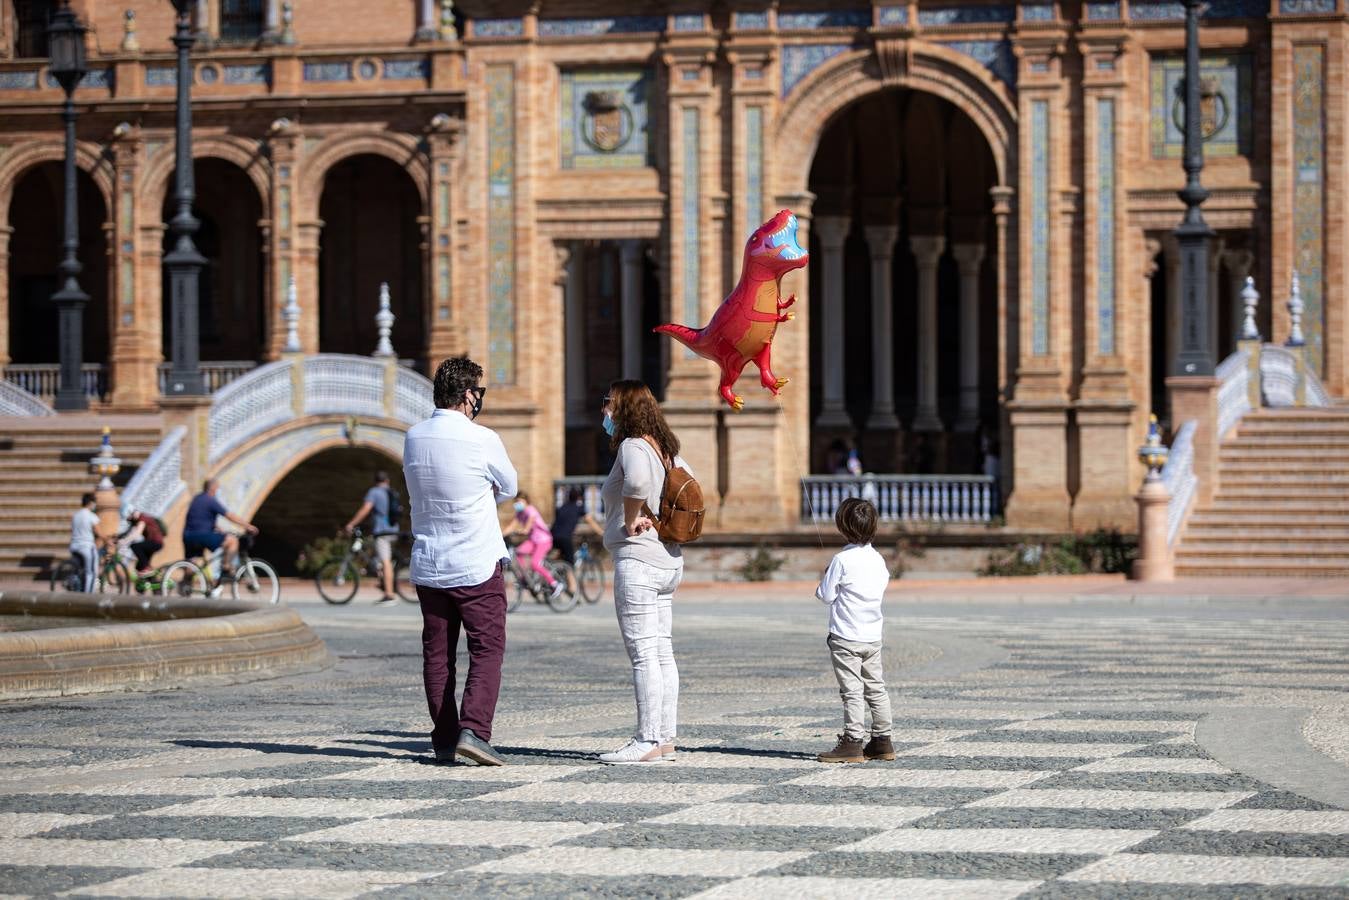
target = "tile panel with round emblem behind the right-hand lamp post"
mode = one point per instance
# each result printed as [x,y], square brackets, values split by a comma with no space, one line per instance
[1227,109]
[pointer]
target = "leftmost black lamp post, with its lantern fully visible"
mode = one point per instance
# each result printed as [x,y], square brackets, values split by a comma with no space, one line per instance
[68,67]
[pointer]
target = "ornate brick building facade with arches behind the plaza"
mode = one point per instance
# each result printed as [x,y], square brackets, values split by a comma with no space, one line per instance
[987,191]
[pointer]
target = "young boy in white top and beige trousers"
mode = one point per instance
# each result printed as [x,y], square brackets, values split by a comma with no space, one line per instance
[853,588]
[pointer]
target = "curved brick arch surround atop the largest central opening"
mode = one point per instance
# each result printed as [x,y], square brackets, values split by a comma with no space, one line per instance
[927,68]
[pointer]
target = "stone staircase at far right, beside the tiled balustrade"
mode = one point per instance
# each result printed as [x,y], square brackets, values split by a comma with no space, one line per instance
[1282,508]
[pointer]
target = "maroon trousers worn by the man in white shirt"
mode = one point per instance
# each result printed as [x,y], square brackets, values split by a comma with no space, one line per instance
[482,612]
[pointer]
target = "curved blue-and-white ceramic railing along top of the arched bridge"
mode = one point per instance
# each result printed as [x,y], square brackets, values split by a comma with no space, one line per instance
[328,384]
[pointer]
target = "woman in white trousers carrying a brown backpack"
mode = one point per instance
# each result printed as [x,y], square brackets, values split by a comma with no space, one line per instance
[648,476]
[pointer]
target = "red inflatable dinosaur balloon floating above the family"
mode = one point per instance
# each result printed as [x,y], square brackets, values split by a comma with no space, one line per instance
[744,326]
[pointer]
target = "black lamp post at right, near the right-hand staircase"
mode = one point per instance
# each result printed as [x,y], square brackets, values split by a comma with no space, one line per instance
[1193,234]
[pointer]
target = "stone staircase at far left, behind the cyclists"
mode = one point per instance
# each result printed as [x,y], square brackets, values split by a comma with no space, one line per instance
[45,469]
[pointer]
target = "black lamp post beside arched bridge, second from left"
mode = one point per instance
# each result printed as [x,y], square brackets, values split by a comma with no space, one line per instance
[184,262]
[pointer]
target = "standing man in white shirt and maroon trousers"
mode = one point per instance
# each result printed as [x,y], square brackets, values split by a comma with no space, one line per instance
[457,474]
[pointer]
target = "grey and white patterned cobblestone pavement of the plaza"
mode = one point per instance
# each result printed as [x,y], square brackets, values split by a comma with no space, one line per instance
[1060,751]
